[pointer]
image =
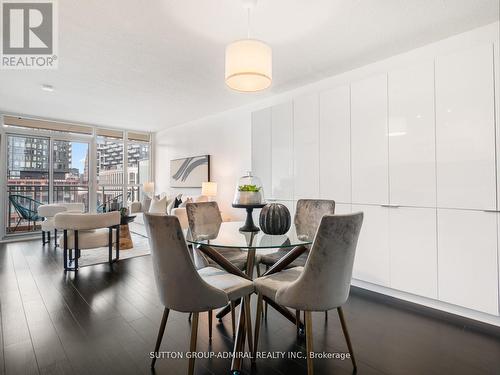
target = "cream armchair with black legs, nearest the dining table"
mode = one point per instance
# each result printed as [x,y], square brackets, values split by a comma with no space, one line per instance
[87,231]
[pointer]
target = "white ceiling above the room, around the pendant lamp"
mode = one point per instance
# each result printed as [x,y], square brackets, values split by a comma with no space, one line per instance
[148,65]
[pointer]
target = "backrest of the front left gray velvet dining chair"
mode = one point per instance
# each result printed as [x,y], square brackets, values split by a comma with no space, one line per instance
[179,285]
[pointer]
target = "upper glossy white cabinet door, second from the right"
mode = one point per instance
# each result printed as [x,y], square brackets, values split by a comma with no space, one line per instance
[412,156]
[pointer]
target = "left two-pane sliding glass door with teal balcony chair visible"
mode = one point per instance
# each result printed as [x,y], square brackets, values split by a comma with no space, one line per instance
[43,170]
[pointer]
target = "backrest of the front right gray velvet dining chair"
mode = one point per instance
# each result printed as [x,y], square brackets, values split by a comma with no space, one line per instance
[325,282]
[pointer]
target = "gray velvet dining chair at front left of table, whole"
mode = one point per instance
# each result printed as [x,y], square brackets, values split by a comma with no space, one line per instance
[180,286]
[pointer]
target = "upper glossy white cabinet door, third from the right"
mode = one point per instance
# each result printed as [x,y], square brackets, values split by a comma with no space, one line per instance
[369,154]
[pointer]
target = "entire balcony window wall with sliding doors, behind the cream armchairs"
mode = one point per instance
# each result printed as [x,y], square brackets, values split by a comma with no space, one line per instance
[104,170]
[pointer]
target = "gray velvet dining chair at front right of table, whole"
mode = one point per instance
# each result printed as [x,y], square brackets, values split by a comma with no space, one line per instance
[322,284]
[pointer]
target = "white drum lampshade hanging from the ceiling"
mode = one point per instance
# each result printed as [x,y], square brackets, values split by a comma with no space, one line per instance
[248,65]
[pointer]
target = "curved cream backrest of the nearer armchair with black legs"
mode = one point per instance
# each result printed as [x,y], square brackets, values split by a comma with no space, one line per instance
[79,221]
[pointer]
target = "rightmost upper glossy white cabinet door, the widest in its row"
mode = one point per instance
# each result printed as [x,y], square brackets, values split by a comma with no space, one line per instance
[465,130]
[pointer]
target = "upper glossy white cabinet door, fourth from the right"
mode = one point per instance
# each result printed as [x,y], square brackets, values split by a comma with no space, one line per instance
[334,145]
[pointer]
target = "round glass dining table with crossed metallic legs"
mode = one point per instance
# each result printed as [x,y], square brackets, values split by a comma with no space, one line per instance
[212,241]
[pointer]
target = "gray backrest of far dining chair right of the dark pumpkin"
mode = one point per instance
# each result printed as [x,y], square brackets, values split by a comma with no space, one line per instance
[308,215]
